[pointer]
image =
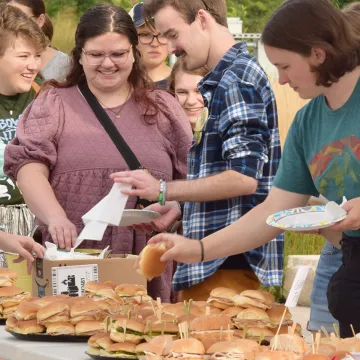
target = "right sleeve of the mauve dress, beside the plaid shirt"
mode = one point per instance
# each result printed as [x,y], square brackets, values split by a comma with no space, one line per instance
[176,130]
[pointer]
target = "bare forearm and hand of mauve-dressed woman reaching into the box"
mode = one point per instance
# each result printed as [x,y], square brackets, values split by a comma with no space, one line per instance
[33,182]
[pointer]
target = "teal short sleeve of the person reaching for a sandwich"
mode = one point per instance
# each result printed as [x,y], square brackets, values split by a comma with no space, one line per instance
[293,174]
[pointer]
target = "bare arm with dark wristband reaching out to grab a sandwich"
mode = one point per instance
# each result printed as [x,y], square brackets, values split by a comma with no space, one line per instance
[249,232]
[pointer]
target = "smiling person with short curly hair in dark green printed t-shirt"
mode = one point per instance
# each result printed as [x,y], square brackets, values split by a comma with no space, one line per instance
[21,46]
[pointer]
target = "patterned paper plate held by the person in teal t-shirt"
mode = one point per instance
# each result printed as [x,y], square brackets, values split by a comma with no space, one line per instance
[303,219]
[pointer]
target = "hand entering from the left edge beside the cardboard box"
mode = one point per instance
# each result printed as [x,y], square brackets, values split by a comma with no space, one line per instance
[23,245]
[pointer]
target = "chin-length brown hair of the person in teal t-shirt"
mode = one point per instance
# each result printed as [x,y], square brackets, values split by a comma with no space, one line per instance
[301,25]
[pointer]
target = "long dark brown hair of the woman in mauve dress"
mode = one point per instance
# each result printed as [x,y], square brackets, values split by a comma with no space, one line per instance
[100,20]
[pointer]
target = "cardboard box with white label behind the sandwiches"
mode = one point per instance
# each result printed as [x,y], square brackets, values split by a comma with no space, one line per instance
[53,277]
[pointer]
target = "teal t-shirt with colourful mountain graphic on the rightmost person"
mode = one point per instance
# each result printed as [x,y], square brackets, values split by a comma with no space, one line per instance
[322,151]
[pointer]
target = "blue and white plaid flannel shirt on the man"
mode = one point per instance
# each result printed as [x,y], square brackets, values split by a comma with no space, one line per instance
[241,134]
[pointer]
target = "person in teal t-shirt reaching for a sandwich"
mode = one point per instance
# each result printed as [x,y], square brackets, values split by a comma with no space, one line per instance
[316,53]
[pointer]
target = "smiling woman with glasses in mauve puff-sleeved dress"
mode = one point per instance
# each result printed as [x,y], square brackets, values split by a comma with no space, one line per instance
[62,157]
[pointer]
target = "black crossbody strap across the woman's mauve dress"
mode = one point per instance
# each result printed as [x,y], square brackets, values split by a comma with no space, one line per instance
[114,134]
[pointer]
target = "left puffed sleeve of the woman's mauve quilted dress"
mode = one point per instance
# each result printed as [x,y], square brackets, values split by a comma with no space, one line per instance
[37,134]
